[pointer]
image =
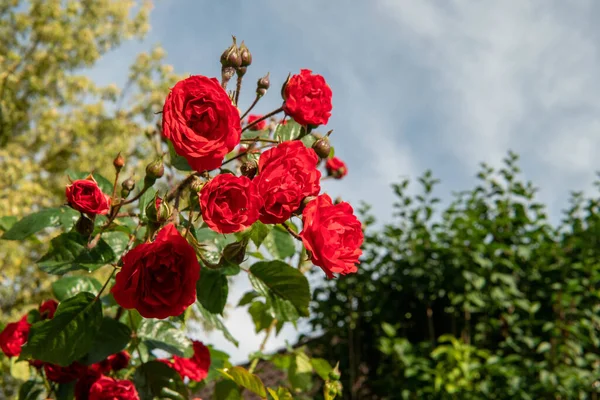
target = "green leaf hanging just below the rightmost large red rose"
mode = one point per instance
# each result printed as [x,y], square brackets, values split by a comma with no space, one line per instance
[277,280]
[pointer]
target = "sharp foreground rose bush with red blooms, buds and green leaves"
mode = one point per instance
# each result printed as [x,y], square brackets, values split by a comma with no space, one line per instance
[229,192]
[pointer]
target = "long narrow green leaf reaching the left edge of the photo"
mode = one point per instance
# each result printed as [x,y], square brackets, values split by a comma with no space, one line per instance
[33,223]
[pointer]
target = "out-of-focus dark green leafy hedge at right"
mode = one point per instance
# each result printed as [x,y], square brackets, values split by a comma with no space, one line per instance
[485,298]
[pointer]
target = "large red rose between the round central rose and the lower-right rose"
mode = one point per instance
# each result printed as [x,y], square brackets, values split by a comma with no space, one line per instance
[286,175]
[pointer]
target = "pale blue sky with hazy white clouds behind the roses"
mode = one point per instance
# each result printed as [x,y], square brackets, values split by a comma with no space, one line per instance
[417,84]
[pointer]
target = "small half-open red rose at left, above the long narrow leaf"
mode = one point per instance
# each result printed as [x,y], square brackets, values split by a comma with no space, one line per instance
[85,196]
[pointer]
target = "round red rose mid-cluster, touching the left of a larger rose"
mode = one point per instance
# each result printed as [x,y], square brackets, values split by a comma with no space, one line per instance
[229,203]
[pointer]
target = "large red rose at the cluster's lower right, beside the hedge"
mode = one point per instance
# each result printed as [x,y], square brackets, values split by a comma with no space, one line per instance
[332,235]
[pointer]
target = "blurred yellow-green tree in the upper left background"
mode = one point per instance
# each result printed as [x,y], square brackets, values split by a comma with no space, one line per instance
[54,117]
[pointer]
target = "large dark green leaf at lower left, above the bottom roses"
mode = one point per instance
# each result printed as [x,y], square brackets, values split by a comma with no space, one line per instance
[69,335]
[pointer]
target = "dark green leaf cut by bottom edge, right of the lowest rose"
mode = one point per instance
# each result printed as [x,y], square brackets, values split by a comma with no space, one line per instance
[152,377]
